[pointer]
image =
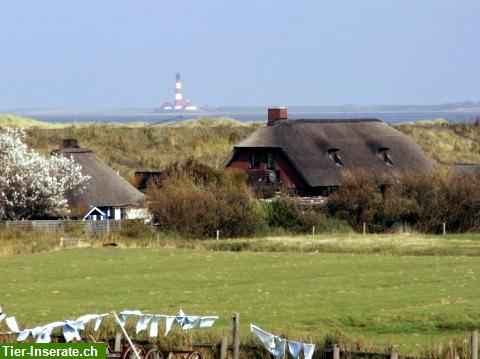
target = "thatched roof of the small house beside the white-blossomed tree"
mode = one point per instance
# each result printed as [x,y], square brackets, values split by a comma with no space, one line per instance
[105,186]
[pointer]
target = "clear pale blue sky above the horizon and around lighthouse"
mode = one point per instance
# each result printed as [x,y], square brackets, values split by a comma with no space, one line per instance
[93,54]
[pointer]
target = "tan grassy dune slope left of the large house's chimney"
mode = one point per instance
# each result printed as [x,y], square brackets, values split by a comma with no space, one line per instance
[129,148]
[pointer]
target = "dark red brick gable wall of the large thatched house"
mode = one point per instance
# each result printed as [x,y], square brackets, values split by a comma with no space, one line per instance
[288,174]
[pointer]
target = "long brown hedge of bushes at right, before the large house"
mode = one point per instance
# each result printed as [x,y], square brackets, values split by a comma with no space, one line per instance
[424,202]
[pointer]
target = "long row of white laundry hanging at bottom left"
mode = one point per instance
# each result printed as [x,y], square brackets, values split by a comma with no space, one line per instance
[71,328]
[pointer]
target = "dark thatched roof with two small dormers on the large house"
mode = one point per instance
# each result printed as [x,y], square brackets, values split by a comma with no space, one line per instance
[308,145]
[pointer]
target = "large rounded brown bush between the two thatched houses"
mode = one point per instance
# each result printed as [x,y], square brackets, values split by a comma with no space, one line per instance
[197,205]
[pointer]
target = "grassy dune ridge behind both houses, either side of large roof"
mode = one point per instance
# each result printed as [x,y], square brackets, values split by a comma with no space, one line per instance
[129,147]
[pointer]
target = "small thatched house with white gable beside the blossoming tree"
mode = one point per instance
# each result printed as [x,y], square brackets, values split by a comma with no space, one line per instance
[107,194]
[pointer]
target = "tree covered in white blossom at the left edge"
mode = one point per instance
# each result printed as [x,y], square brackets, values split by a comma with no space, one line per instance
[32,185]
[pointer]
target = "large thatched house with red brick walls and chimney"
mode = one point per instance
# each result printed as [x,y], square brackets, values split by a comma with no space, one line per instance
[311,155]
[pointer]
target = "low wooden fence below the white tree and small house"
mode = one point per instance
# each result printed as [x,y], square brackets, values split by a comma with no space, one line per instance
[84,227]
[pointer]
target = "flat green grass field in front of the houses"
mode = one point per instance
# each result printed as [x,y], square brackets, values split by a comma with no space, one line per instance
[384,299]
